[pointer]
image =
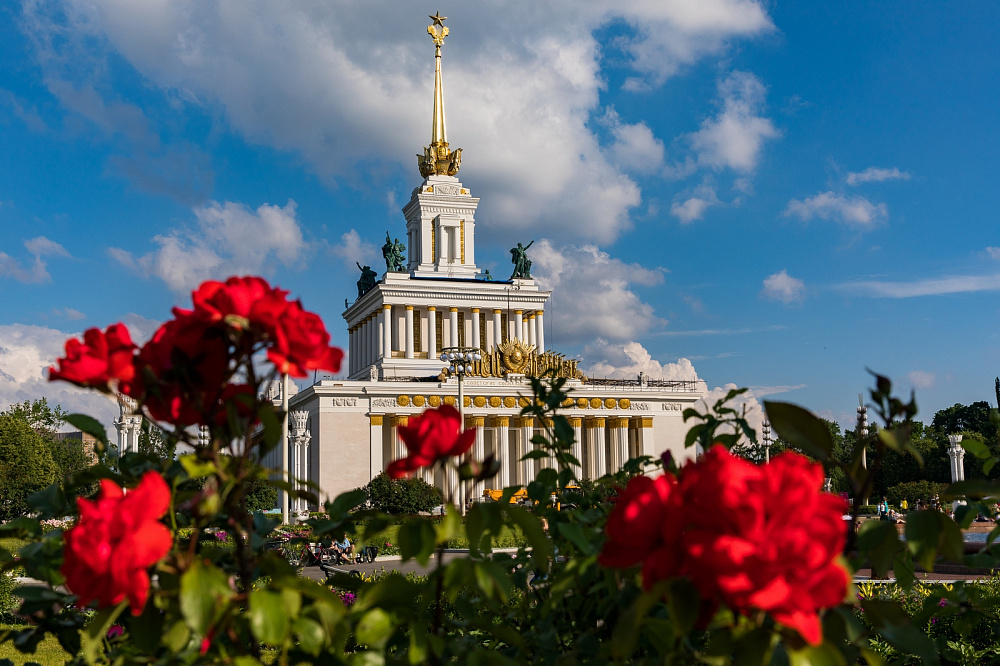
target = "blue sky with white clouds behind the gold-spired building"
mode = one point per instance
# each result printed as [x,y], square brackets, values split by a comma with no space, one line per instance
[774,195]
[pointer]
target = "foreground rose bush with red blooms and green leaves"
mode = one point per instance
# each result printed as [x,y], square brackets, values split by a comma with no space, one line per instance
[738,561]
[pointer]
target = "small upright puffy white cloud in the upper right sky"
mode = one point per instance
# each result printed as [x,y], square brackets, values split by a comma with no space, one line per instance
[735,137]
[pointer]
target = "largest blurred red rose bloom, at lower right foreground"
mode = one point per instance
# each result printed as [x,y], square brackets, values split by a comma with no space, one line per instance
[752,537]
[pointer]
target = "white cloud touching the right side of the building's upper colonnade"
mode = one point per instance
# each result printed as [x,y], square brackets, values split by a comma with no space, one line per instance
[592,295]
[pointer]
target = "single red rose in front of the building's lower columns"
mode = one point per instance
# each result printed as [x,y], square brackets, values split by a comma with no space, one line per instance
[434,435]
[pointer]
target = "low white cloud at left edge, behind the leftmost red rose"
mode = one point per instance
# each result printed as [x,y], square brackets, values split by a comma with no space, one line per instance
[26,352]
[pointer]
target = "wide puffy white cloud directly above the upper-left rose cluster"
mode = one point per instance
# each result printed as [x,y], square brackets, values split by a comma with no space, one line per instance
[227,239]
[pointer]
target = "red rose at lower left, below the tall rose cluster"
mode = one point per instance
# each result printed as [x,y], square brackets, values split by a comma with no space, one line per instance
[117,538]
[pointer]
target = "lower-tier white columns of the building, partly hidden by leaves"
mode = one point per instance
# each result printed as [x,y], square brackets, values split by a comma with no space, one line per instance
[601,445]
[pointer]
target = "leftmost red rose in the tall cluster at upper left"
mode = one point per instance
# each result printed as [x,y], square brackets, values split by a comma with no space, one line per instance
[100,359]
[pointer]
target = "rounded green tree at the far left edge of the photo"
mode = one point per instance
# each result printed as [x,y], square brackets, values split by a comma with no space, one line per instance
[26,465]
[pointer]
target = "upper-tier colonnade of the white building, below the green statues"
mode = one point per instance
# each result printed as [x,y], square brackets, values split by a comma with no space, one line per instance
[405,331]
